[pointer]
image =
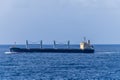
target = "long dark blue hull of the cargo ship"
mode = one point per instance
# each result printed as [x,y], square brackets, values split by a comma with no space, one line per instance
[32,50]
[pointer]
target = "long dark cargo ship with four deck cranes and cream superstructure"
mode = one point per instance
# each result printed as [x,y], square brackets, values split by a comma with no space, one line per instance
[85,47]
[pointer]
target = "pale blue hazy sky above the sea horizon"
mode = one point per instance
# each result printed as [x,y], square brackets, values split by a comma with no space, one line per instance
[60,20]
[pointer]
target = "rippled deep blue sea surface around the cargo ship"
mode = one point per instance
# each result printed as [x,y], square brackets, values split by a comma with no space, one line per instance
[104,64]
